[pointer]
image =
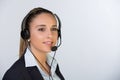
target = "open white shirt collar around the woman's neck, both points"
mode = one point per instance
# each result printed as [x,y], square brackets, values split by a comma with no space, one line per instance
[31,61]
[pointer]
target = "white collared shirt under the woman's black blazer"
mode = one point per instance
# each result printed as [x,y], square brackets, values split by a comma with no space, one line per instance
[31,61]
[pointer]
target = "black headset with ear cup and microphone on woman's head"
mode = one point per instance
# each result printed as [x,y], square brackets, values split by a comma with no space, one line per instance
[25,33]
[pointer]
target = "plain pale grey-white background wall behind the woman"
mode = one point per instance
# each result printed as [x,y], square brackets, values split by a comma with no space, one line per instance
[90,33]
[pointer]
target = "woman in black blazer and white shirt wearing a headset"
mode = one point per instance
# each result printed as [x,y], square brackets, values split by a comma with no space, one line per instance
[39,35]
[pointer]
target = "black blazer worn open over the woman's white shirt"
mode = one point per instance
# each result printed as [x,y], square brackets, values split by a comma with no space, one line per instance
[18,71]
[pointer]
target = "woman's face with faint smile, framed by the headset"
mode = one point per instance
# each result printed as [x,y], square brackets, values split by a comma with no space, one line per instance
[43,32]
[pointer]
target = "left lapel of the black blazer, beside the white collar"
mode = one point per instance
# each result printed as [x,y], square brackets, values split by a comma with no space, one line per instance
[29,73]
